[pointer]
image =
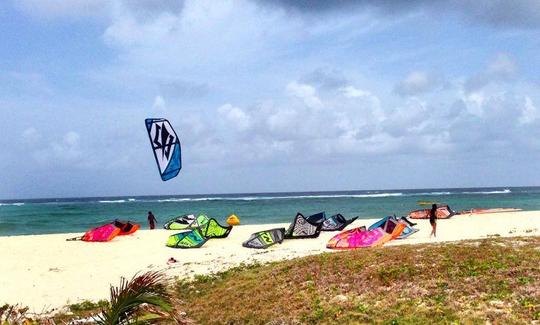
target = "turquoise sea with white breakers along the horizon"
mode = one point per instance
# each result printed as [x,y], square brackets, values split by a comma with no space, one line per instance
[43,216]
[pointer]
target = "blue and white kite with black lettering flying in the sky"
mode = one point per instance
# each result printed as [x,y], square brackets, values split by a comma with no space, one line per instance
[166,147]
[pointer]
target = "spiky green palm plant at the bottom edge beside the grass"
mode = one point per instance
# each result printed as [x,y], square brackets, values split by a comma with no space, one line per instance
[143,299]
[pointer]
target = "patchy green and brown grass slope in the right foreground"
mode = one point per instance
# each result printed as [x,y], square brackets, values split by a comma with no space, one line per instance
[496,280]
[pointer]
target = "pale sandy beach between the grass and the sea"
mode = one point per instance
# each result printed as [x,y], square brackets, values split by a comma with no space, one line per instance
[46,272]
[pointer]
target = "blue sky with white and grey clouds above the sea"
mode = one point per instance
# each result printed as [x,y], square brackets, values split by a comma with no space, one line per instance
[268,96]
